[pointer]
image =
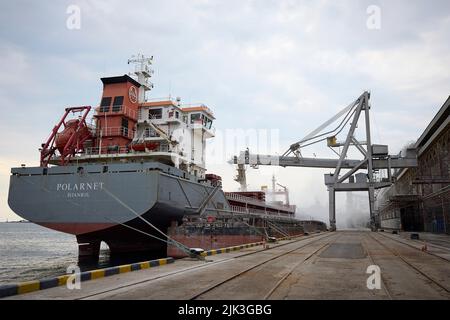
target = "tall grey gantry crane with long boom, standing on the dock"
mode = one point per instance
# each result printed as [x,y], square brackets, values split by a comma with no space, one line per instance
[375,157]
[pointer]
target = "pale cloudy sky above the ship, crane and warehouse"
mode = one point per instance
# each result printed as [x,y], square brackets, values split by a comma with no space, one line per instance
[277,67]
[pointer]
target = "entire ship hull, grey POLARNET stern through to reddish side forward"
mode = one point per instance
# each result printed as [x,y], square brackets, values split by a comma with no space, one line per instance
[132,207]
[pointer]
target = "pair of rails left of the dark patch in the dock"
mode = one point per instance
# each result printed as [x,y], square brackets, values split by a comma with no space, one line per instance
[267,261]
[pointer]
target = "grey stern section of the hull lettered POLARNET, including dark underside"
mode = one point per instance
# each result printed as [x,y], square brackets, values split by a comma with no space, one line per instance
[124,205]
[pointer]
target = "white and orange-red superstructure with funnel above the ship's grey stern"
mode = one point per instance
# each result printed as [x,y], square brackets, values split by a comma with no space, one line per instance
[129,128]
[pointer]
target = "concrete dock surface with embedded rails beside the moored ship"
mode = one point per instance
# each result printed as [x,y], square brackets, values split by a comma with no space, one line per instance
[332,265]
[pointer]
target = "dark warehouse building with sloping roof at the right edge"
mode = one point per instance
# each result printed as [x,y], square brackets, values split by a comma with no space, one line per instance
[419,200]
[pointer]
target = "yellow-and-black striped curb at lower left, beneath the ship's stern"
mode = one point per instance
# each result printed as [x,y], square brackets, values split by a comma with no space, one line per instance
[30,286]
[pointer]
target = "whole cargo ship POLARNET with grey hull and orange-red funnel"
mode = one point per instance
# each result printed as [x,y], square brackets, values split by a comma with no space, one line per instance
[133,176]
